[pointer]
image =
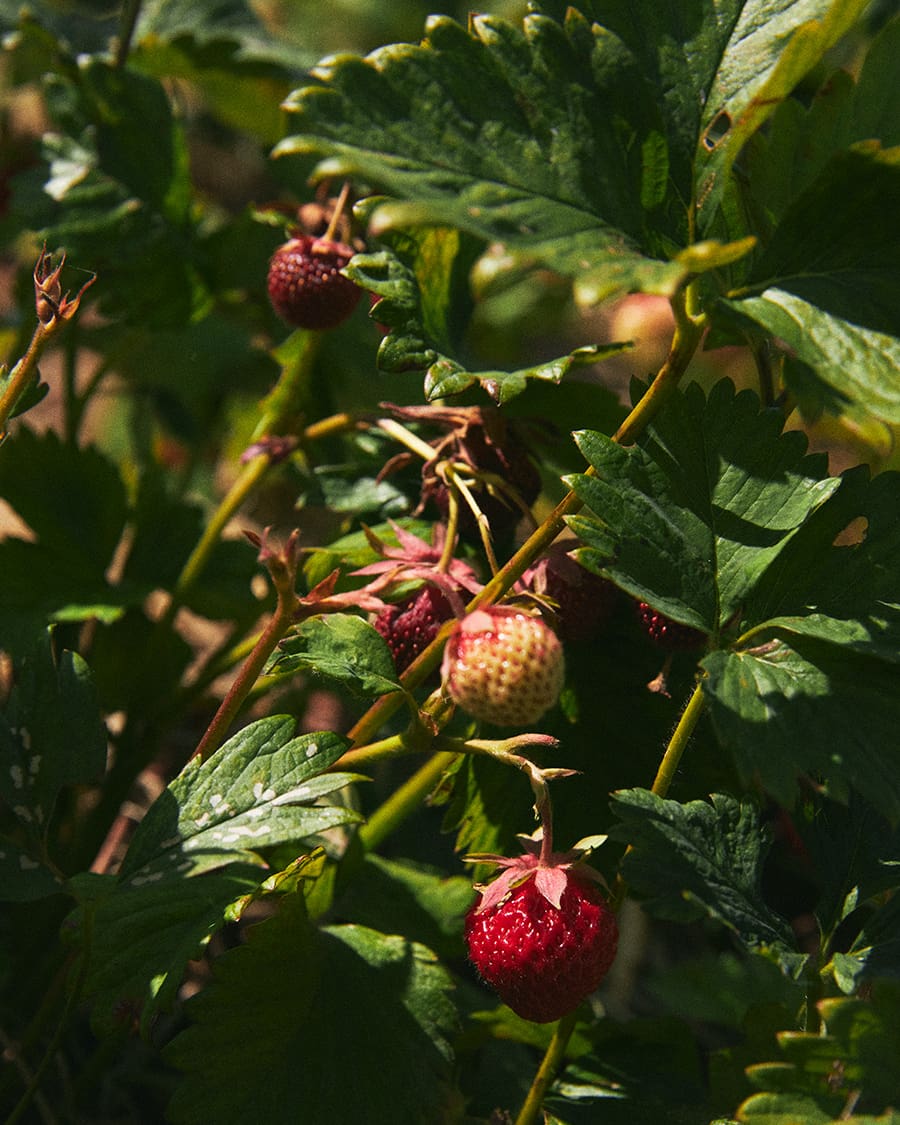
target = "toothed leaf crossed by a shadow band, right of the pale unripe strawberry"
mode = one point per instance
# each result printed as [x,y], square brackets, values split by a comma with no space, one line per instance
[691,518]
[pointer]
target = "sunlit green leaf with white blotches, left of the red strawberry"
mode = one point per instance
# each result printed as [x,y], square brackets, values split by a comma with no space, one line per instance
[263,788]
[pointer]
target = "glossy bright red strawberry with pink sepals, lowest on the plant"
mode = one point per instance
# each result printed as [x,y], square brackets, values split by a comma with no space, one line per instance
[542,935]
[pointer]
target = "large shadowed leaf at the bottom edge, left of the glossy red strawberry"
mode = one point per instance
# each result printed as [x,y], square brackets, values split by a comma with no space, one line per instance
[296,995]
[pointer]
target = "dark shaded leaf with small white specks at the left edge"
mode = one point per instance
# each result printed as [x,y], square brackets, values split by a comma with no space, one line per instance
[51,736]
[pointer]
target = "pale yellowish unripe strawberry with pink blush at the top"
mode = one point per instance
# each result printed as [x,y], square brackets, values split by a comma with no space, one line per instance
[503,667]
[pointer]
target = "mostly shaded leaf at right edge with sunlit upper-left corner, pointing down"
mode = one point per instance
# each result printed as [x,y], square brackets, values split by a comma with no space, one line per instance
[791,707]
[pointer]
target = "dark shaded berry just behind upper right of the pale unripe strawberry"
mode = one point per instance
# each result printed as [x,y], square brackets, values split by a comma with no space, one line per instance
[583,600]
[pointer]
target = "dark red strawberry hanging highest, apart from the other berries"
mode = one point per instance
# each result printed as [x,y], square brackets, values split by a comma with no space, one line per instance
[305,286]
